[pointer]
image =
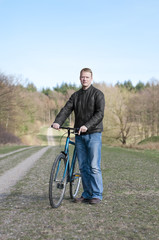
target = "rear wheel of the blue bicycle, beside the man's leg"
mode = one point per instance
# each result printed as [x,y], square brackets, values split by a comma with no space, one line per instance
[75,180]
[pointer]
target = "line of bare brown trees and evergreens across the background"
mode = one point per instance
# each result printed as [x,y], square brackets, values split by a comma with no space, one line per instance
[131,112]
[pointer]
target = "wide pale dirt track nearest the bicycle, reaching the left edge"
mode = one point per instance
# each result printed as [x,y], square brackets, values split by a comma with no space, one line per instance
[10,177]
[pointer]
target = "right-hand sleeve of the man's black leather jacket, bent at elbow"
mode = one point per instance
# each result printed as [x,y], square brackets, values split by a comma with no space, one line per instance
[98,111]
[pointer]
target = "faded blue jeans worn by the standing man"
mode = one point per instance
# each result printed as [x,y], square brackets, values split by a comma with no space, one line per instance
[89,156]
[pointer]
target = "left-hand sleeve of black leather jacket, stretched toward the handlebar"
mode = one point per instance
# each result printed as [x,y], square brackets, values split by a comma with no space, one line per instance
[65,112]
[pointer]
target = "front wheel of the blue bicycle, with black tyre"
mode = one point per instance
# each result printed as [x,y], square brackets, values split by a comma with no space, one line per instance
[57,183]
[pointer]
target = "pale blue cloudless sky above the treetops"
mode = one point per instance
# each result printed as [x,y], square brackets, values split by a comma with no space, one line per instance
[49,41]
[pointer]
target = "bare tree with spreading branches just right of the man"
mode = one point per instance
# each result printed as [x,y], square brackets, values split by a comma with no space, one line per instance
[116,120]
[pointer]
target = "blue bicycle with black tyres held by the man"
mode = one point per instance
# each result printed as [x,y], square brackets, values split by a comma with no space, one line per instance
[63,171]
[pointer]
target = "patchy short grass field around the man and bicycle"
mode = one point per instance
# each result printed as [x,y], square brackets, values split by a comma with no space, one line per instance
[129,210]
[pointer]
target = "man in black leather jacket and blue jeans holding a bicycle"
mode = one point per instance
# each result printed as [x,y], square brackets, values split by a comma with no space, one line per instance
[88,105]
